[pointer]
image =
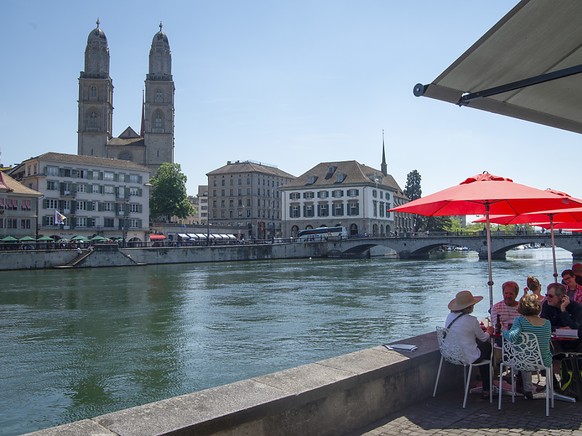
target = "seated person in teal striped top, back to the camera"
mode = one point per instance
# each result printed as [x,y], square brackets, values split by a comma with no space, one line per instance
[530,322]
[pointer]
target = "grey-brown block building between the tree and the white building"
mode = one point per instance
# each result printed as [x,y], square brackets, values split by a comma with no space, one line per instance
[246,195]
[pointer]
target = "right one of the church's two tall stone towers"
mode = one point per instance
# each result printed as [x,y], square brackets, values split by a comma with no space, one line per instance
[159,104]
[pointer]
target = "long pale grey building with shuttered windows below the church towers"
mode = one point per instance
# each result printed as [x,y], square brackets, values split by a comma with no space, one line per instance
[95,195]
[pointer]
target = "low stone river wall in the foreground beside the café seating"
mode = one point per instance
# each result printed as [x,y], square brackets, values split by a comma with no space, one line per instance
[331,397]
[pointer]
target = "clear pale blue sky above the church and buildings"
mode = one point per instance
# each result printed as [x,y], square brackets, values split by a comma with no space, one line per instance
[289,83]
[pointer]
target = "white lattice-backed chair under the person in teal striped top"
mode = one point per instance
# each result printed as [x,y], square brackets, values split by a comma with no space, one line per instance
[525,355]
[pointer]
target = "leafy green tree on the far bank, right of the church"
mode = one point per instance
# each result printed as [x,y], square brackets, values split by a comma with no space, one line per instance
[168,195]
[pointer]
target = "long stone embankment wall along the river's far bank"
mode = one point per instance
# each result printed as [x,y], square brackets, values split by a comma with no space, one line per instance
[110,255]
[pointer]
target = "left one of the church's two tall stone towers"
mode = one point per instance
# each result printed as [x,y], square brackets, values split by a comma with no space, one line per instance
[95,119]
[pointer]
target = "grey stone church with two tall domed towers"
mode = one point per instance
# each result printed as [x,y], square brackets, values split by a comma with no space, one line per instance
[154,144]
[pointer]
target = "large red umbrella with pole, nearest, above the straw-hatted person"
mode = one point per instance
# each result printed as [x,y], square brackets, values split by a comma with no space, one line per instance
[486,194]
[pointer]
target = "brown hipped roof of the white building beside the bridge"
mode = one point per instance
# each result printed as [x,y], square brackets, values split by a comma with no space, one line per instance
[344,173]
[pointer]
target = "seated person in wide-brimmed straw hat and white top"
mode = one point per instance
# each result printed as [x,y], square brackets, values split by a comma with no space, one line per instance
[465,329]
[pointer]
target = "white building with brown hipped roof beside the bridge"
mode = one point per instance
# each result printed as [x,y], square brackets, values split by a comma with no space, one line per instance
[346,194]
